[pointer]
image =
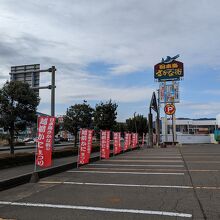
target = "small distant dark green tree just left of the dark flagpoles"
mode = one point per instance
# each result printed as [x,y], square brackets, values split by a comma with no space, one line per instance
[139,123]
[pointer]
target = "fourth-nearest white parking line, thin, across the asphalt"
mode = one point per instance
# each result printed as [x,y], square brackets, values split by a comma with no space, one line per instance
[129,165]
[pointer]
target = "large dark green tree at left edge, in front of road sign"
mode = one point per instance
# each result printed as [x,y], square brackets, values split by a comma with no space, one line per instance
[18,104]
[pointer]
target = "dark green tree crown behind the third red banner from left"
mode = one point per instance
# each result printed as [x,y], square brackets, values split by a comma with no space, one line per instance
[105,115]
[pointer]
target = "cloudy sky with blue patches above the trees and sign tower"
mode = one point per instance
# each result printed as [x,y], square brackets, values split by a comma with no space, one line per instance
[107,50]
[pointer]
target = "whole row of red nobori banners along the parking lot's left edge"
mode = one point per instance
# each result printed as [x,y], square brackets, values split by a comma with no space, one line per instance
[45,139]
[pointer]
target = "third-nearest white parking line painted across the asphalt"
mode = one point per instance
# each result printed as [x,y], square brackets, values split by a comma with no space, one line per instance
[131,173]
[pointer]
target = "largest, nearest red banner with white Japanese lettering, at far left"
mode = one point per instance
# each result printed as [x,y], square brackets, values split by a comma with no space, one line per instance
[45,133]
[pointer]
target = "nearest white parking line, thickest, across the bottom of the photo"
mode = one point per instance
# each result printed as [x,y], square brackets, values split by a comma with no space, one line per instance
[101,209]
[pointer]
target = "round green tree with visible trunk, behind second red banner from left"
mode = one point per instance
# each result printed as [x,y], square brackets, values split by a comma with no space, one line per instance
[78,116]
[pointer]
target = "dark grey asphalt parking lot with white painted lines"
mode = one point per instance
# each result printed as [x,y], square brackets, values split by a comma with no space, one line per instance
[159,183]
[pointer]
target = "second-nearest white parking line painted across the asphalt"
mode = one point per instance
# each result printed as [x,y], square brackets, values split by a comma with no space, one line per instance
[116,184]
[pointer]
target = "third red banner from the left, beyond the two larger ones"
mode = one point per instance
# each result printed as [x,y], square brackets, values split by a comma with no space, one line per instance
[105,144]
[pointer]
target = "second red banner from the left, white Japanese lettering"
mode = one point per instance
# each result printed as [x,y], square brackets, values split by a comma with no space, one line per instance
[85,146]
